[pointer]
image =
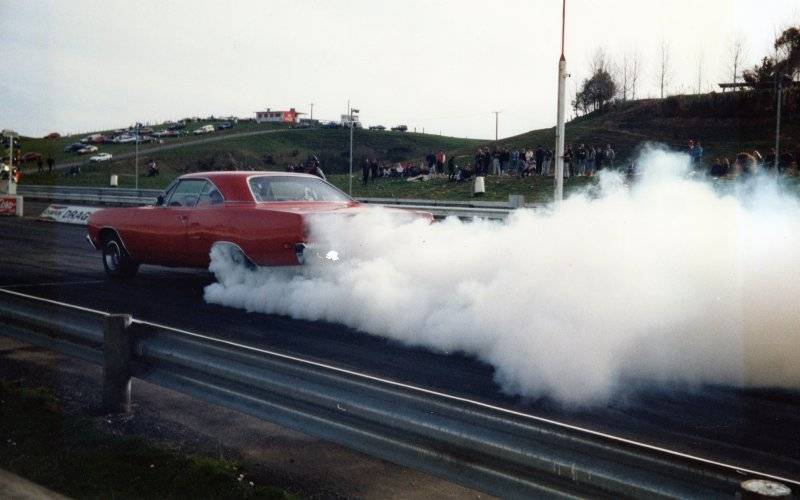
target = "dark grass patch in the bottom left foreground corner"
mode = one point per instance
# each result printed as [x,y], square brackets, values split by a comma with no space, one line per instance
[69,455]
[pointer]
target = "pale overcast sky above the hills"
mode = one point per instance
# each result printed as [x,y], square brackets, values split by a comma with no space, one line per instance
[442,66]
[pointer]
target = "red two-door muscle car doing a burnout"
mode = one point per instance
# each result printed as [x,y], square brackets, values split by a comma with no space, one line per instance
[259,216]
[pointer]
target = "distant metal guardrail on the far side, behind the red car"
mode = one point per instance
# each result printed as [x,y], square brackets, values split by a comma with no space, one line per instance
[128,197]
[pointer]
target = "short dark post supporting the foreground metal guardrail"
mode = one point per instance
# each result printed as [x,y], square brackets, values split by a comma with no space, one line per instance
[117,354]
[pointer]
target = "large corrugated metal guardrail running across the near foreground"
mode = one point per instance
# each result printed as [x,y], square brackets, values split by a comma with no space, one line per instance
[501,452]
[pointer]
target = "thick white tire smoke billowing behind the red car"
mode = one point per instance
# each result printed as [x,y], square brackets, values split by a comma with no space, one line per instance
[666,282]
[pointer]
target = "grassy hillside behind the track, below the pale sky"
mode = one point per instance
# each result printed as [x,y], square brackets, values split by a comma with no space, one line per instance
[725,124]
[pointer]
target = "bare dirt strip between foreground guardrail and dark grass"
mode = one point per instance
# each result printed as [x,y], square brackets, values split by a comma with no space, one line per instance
[273,455]
